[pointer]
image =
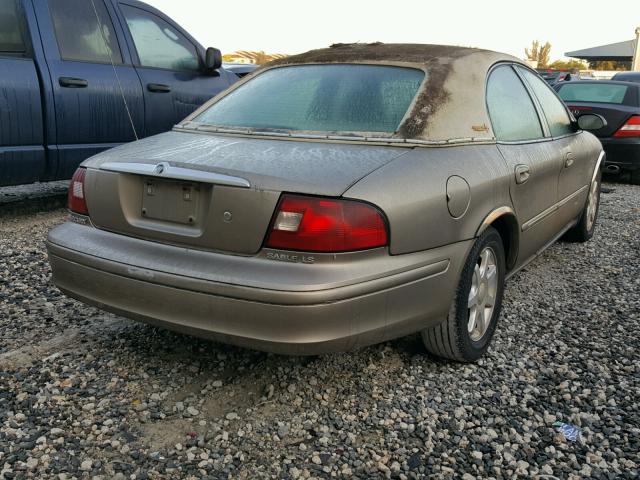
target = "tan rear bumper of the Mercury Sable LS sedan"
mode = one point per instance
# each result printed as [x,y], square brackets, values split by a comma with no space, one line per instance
[343,304]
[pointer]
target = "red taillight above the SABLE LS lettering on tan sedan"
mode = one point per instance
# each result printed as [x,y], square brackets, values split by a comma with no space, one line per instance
[312,224]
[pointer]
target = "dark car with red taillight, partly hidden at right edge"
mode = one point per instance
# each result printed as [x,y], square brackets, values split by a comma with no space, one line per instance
[619,103]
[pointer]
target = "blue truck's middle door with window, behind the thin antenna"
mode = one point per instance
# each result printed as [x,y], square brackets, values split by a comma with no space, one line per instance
[92,76]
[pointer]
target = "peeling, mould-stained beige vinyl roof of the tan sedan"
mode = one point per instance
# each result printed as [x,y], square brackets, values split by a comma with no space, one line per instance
[450,104]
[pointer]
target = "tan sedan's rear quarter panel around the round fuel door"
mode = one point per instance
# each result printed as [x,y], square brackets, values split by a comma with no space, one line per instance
[412,191]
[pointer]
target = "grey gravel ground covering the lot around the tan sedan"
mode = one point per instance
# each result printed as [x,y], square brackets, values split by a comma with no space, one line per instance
[84,394]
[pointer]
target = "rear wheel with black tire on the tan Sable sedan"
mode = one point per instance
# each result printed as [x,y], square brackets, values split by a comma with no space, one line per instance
[452,339]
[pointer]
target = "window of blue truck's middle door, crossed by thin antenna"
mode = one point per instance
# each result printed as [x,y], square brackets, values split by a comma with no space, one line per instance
[80,36]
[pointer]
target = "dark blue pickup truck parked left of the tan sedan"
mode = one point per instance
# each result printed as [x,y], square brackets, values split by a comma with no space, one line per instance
[80,76]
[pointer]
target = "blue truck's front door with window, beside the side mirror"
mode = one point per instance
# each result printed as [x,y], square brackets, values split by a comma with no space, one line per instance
[168,62]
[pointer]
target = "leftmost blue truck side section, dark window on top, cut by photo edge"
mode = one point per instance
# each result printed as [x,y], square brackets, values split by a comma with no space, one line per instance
[22,155]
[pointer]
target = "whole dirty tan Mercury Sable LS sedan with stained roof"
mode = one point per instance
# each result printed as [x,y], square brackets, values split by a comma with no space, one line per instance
[380,191]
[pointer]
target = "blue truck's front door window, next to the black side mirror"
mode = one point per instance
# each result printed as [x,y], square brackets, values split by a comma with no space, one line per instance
[158,44]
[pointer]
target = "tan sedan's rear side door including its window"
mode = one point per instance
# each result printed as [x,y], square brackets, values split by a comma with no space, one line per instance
[533,160]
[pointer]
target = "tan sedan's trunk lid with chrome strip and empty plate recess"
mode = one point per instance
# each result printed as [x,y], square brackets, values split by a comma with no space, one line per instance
[216,192]
